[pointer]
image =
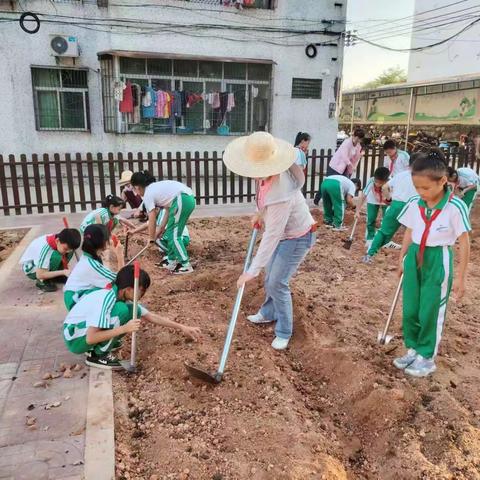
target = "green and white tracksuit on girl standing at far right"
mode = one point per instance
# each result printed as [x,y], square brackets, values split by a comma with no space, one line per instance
[426,286]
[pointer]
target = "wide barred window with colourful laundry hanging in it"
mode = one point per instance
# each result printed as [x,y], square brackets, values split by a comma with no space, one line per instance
[240,105]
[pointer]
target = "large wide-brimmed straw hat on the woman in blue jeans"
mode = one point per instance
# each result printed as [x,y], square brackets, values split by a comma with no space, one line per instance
[259,155]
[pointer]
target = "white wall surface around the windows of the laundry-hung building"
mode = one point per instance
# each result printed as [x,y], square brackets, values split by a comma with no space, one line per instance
[19,51]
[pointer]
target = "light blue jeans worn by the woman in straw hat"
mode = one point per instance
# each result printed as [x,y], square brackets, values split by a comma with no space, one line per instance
[285,261]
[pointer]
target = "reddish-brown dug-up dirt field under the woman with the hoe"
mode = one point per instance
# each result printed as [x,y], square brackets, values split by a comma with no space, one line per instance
[331,407]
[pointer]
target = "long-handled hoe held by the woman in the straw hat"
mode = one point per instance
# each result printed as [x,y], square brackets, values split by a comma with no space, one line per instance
[217,377]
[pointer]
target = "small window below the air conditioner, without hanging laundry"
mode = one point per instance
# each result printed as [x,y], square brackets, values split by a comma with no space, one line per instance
[60,99]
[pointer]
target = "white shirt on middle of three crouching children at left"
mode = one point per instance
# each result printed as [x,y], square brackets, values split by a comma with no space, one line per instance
[88,273]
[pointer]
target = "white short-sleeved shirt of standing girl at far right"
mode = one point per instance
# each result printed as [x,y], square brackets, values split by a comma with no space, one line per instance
[446,228]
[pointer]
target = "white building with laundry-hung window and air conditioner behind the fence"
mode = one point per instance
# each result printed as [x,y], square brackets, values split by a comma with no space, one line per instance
[56,102]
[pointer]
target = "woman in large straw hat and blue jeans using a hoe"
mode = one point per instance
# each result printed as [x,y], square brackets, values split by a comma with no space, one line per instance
[288,226]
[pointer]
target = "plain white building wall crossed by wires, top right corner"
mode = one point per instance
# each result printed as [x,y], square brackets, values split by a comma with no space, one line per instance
[460,56]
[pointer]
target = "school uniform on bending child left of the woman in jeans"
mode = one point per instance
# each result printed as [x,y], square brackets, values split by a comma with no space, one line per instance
[181,204]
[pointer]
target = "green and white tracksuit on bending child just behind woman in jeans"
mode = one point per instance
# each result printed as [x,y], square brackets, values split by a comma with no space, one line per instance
[334,189]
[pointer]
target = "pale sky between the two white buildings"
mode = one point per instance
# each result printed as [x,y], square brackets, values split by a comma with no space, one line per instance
[373,19]
